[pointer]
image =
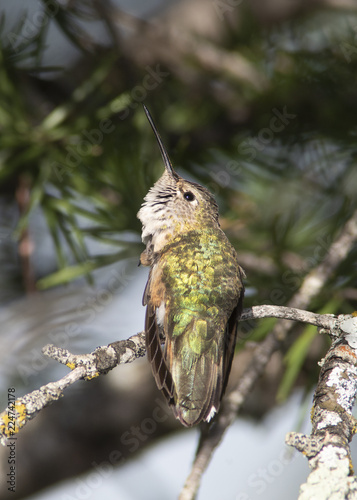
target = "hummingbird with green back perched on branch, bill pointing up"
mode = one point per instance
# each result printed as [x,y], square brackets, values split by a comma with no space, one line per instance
[193,295]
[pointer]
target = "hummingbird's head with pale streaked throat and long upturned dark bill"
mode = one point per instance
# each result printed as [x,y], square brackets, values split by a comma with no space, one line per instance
[173,205]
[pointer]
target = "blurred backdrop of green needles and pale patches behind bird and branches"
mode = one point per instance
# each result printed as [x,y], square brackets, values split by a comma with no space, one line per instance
[255,100]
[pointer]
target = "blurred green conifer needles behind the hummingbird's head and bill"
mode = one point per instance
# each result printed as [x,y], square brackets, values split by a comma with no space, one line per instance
[276,144]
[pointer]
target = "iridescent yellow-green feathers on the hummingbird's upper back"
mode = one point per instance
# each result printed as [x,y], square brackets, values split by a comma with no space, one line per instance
[200,274]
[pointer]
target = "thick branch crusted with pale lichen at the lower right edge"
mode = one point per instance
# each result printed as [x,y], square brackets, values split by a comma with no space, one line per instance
[333,426]
